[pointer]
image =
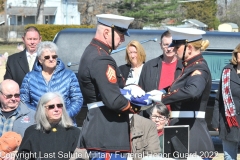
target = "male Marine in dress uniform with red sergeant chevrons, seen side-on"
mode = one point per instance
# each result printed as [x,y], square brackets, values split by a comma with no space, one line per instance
[105,130]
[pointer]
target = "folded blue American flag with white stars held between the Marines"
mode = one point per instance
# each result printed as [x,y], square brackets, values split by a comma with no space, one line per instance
[139,101]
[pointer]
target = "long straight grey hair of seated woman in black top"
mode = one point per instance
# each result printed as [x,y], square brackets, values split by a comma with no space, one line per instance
[41,118]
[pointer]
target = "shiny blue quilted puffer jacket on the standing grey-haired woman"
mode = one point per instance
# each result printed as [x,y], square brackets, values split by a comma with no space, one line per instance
[63,81]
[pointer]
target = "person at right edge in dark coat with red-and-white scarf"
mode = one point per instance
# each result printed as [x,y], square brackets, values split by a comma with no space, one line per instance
[226,113]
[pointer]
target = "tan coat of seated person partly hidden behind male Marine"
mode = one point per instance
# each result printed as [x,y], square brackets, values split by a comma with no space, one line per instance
[144,137]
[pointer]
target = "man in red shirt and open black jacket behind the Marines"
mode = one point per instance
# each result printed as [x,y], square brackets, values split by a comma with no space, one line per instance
[159,73]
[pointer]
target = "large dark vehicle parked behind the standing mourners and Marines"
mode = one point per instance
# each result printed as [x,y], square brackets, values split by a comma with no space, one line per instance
[72,42]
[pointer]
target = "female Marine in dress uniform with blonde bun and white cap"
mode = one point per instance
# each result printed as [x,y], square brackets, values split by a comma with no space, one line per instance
[188,95]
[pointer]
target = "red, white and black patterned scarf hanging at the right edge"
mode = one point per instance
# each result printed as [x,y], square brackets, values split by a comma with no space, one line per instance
[229,106]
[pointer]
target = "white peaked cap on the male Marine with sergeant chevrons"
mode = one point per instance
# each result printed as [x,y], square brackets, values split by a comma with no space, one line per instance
[120,23]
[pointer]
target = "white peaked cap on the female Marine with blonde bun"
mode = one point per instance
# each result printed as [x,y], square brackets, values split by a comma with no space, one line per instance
[181,35]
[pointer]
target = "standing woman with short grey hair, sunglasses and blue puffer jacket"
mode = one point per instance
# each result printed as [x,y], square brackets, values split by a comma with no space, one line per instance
[50,74]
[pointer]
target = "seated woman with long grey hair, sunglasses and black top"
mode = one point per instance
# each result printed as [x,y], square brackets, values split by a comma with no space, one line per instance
[53,136]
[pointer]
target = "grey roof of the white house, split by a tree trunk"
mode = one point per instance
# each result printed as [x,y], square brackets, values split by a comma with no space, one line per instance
[30,11]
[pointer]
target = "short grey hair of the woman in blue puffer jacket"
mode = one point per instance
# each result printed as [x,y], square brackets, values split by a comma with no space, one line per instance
[46,45]
